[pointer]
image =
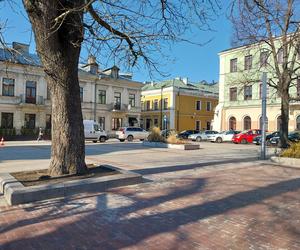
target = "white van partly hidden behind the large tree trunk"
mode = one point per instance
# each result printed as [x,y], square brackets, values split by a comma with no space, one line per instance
[93,132]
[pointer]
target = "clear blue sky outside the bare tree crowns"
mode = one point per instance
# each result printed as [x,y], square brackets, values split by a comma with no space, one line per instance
[188,60]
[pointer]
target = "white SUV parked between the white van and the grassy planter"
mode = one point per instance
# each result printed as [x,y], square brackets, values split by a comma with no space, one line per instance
[131,133]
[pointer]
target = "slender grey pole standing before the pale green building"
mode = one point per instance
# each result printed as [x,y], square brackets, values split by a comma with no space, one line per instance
[263,115]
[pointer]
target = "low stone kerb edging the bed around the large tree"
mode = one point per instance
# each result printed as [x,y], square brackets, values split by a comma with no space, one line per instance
[15,193]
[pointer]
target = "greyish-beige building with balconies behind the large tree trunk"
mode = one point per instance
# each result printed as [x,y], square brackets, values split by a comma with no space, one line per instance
[108,97]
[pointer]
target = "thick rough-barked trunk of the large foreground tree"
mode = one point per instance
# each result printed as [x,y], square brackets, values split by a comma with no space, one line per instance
[58,46]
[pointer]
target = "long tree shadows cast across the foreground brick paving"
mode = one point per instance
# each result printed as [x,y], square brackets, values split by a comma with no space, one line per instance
[133,219]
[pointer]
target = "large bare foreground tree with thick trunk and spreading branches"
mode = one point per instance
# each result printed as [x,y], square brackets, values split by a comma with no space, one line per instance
[130,30]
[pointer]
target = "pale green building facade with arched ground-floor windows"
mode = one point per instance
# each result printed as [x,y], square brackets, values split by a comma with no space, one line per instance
[240,91]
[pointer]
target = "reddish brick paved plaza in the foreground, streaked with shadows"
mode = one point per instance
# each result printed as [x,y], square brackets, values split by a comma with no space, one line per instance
[238,205]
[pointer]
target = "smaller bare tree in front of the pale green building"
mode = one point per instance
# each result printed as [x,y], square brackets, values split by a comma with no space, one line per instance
[272,27]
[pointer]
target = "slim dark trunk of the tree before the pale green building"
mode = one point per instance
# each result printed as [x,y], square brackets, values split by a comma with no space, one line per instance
[285,109]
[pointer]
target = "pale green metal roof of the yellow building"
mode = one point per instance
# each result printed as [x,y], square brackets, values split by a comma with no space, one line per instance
[180,83]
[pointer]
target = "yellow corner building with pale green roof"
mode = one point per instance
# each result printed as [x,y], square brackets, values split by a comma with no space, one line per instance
[178,104]
